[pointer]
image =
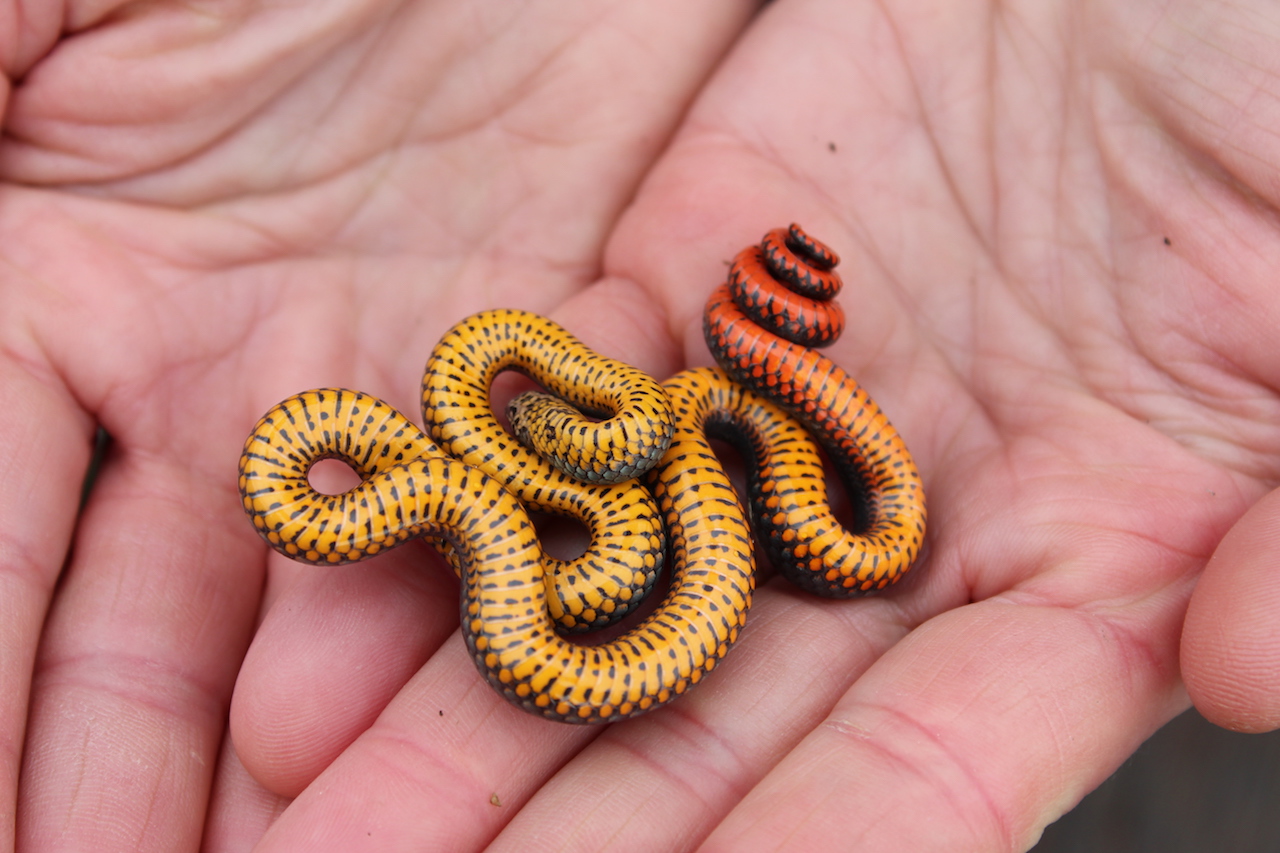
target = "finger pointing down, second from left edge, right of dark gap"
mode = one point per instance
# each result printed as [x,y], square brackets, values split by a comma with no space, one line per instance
[138,663]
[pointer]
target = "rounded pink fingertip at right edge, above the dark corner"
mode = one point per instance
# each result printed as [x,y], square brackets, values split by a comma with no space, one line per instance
[1231,649]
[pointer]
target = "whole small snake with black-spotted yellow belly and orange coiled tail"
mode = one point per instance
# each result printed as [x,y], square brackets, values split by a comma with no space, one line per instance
[516,603]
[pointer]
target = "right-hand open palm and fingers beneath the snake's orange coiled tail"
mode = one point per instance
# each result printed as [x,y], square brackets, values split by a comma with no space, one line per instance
[1057,286]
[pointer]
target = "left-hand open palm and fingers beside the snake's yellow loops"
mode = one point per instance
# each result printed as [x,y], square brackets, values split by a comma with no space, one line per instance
[208,208]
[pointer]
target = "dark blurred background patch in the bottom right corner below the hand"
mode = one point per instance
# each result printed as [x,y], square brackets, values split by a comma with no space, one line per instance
[1192,788]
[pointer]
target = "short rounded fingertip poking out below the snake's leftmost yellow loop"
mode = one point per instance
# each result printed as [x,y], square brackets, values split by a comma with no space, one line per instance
[328,658]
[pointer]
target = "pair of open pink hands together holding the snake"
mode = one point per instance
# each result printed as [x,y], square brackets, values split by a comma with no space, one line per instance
[1059,231]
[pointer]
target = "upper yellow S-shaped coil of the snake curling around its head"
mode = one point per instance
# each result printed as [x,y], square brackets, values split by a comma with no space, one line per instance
[627,550]
